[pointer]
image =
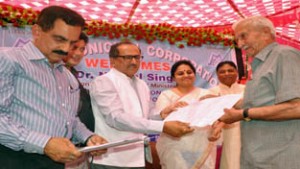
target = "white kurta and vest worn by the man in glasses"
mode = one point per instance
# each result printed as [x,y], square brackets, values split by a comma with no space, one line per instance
[121,106]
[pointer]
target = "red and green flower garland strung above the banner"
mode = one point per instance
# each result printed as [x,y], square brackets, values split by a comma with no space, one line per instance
[179,36]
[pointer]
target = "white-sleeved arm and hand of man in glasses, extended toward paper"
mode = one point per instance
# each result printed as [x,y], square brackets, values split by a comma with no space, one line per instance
[106,98]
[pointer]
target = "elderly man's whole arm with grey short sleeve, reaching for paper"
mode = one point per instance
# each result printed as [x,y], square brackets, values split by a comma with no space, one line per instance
[286,86]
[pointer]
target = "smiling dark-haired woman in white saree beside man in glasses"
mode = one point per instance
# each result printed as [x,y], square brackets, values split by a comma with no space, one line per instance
[184,152]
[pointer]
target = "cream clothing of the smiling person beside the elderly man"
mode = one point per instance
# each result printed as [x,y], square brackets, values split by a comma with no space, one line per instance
[231,150]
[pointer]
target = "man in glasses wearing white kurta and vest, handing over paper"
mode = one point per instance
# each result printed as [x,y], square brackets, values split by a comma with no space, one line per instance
[122,109]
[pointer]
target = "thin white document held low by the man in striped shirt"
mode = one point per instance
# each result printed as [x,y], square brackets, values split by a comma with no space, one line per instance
[110,144]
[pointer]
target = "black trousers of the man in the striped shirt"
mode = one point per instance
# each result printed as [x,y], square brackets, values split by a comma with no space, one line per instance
[10,159]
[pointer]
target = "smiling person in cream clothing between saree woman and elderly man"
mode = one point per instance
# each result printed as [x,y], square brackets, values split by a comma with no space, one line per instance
[227,74]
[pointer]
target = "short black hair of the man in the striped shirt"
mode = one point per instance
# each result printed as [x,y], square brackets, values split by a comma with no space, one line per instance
[50,14]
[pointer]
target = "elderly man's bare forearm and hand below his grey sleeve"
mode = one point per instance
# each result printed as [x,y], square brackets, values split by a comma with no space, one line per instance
[289,110]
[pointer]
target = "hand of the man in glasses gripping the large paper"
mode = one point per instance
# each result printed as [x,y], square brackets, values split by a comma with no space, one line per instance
[177,128]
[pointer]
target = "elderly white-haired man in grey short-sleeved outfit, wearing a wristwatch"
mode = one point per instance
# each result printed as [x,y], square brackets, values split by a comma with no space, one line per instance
[270,111]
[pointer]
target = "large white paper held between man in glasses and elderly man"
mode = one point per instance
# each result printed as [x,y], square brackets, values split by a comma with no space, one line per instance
[204,112]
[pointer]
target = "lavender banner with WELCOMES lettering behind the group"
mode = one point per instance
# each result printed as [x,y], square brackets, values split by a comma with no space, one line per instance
[155,67]
